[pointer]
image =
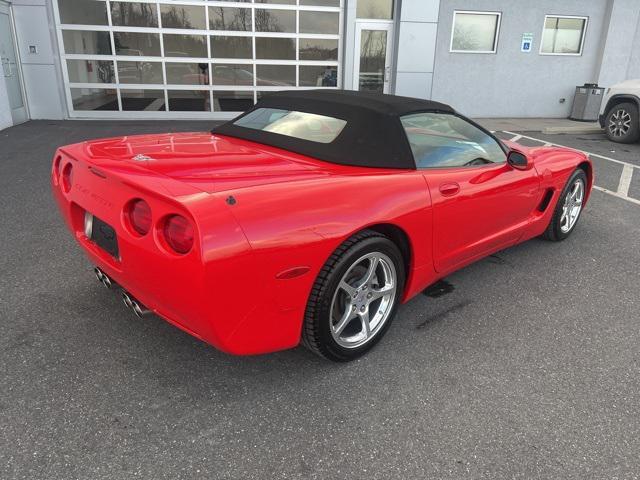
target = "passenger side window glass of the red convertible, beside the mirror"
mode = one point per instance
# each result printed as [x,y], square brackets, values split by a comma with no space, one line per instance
[441,140]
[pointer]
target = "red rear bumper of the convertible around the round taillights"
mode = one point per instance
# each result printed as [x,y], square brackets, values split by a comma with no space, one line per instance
[203,292]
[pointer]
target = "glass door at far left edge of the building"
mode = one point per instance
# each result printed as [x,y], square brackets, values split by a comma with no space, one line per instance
[10,69]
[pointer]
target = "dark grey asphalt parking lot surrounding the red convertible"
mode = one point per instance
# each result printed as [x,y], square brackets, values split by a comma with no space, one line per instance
[526,366]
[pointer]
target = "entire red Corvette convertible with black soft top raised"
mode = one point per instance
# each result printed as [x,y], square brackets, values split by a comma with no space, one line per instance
[310,217]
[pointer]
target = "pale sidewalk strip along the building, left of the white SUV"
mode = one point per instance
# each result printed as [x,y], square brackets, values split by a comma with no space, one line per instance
[544,125]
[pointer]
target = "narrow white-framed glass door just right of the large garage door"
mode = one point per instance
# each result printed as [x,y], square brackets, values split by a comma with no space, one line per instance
[372,65]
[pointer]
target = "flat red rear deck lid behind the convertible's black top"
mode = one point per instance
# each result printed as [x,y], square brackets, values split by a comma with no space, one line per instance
[211,163]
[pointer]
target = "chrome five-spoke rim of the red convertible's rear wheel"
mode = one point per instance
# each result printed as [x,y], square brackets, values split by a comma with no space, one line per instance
[363,300]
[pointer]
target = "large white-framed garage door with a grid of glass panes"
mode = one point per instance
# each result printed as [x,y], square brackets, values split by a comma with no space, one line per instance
[151,59]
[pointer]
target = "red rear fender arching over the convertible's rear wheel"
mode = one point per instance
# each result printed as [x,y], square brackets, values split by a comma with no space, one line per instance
[300,225]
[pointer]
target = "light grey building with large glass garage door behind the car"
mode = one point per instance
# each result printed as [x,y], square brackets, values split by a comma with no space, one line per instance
[189,59]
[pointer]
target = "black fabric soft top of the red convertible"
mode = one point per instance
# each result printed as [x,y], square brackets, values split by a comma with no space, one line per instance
[372,137]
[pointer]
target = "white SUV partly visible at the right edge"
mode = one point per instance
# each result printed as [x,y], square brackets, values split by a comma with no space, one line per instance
[619,112]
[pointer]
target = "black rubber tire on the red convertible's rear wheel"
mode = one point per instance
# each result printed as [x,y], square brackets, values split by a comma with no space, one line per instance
[317,331]
